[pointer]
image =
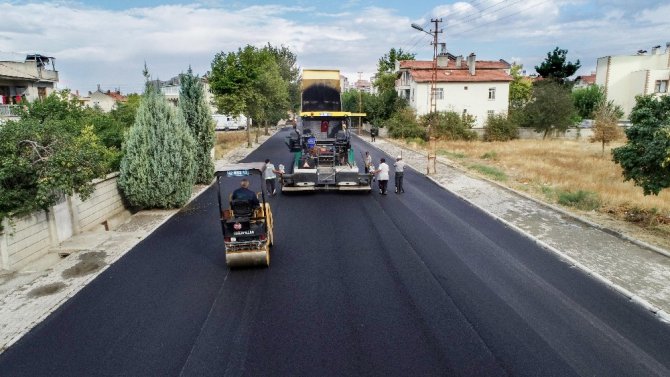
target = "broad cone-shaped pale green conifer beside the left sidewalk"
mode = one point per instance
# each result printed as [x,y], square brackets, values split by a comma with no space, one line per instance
[157,170]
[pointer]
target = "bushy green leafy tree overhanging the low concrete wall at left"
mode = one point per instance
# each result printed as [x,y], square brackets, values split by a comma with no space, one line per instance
[49,151]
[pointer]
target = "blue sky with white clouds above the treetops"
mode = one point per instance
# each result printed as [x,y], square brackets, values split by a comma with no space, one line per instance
[106,43]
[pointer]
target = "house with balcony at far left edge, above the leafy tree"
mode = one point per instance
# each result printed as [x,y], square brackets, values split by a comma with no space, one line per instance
[25,80]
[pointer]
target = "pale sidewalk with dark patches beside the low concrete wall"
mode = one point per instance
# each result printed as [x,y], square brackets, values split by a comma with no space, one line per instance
[29,296]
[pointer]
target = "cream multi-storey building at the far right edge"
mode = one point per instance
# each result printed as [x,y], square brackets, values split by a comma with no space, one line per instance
[627,76]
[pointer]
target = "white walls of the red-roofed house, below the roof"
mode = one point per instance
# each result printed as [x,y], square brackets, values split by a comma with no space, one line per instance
[470,96]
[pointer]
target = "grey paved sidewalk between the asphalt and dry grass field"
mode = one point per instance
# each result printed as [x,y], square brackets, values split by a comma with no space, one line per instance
[641,272]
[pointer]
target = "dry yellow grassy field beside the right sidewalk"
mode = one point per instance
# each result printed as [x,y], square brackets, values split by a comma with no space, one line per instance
[569,173]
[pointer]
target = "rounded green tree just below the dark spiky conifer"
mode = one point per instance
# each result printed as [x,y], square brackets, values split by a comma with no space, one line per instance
[551,109]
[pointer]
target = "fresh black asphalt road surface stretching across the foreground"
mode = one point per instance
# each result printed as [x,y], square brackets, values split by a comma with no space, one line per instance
[419,284]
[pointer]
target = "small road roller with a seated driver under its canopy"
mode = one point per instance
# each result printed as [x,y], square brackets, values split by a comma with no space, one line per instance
[246,217]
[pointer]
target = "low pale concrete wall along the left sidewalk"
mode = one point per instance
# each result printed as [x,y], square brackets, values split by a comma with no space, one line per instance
[25,239]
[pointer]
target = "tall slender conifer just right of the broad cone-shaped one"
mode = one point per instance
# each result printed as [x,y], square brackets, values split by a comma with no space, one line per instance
[199,120]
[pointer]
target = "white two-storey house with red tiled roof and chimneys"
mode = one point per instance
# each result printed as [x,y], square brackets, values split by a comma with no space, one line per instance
[466,86]
